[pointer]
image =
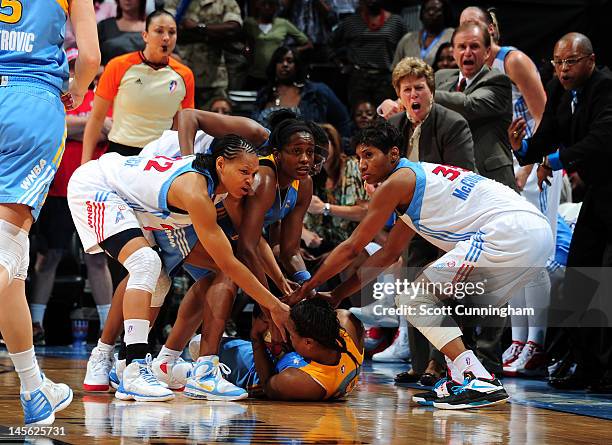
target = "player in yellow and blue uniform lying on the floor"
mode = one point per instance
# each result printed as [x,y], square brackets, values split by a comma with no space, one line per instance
[322,362]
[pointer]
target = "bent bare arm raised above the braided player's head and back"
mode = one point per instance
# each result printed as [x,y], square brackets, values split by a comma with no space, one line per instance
[216,125]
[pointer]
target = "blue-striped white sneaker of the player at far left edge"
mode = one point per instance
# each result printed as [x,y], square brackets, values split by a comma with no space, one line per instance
[40,406]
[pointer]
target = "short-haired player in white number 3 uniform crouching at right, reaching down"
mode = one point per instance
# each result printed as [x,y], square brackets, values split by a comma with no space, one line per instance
[488,231]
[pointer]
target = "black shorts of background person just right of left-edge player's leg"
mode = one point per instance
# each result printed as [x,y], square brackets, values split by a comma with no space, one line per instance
[55,225]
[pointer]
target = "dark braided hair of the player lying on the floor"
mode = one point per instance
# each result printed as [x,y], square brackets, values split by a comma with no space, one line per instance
[316,319]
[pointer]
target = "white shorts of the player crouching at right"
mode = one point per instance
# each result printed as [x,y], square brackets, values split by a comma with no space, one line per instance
[502,257]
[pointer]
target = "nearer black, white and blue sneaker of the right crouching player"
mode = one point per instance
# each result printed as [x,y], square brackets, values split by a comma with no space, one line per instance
[475,392]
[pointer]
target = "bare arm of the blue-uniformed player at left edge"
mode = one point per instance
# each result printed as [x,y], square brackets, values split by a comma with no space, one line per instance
[83,20]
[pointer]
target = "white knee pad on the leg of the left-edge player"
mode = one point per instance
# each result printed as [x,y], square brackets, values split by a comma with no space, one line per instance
[14,250]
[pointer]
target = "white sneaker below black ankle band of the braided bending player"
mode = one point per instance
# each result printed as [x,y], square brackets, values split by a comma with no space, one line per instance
[139,383]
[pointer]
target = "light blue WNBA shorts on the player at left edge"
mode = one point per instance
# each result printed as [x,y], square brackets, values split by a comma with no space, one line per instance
[32,136]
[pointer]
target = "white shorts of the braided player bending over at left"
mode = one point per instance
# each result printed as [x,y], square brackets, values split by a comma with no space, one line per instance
[97,212]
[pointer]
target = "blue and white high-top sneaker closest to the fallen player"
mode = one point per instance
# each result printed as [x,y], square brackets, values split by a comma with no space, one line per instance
[207,382]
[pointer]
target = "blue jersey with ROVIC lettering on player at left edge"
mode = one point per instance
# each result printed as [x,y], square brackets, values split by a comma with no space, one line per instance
[31,40]
